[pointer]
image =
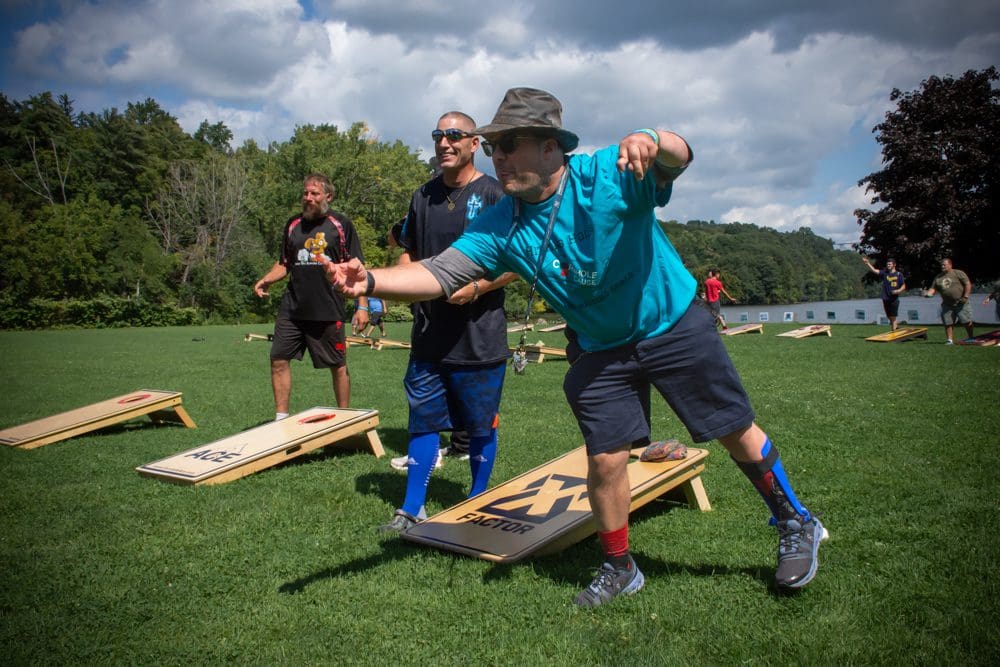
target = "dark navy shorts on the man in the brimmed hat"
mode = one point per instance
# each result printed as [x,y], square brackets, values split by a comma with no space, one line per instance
[688,365]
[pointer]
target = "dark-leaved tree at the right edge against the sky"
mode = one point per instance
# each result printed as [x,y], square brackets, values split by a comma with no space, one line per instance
[939,184]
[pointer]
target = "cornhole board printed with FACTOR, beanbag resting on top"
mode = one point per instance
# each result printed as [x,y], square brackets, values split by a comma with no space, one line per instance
[546,510]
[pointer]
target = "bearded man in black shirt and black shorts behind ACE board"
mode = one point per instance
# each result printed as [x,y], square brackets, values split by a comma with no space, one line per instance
[312,313]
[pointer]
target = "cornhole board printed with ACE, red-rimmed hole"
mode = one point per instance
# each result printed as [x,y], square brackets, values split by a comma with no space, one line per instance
[264,446]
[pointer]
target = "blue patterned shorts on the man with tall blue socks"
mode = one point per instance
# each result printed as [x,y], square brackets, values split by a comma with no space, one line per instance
[446,397]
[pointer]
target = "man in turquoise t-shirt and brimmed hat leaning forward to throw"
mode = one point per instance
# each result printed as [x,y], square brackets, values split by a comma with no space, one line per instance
[586,225]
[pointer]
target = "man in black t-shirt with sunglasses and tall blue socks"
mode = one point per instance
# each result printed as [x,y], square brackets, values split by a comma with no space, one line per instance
[459,345]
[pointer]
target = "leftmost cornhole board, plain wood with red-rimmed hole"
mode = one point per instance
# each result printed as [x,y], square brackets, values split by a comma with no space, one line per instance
[161,406]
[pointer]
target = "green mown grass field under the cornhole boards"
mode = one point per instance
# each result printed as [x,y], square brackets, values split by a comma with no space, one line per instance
[895,445]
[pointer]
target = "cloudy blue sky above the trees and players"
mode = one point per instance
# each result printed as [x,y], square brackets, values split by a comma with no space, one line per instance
[777,97]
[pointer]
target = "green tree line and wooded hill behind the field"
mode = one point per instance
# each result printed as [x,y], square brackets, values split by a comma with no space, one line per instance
[122,218]
